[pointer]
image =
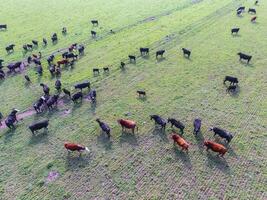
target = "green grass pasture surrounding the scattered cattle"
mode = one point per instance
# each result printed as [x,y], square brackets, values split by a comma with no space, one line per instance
[144,165]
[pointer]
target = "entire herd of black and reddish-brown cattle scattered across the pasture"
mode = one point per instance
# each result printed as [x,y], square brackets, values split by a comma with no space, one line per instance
[49,101]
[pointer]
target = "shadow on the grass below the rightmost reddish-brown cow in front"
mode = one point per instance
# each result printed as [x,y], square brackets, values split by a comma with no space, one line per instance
[214,160]
